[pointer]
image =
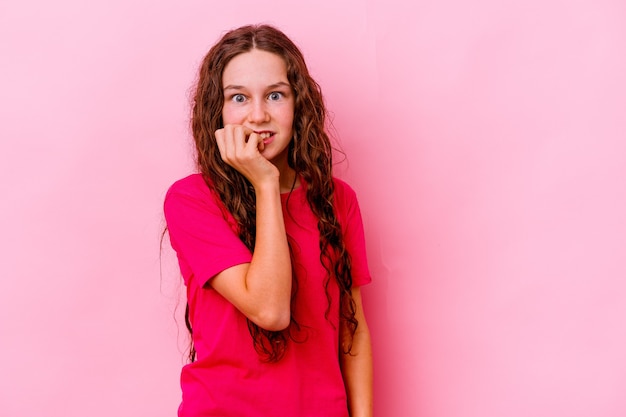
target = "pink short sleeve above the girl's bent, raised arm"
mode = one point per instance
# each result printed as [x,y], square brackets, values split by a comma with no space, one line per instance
[200,232]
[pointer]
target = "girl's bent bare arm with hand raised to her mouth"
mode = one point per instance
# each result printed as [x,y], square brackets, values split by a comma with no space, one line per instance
[261,289]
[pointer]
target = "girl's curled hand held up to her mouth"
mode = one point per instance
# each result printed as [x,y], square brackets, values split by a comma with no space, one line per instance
[241,148]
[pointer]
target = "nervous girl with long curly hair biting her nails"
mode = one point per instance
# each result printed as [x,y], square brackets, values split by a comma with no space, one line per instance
[270,245]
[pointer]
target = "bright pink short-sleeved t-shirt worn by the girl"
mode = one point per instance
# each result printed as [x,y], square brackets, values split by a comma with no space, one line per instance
[229,378]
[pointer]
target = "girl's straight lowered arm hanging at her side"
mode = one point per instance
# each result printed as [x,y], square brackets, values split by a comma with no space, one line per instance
[357,366]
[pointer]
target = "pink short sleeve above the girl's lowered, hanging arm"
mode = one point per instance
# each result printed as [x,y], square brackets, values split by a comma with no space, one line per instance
[349,214]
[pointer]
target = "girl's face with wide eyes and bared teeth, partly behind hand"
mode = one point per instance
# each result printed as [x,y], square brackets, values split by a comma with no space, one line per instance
[257,95]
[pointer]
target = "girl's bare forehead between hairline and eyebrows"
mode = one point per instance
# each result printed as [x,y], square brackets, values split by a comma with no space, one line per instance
[255,67]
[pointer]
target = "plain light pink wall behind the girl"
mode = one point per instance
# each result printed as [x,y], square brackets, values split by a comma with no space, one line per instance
[486,141]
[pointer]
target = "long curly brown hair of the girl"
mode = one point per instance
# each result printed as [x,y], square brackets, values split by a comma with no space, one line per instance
[310,155]
